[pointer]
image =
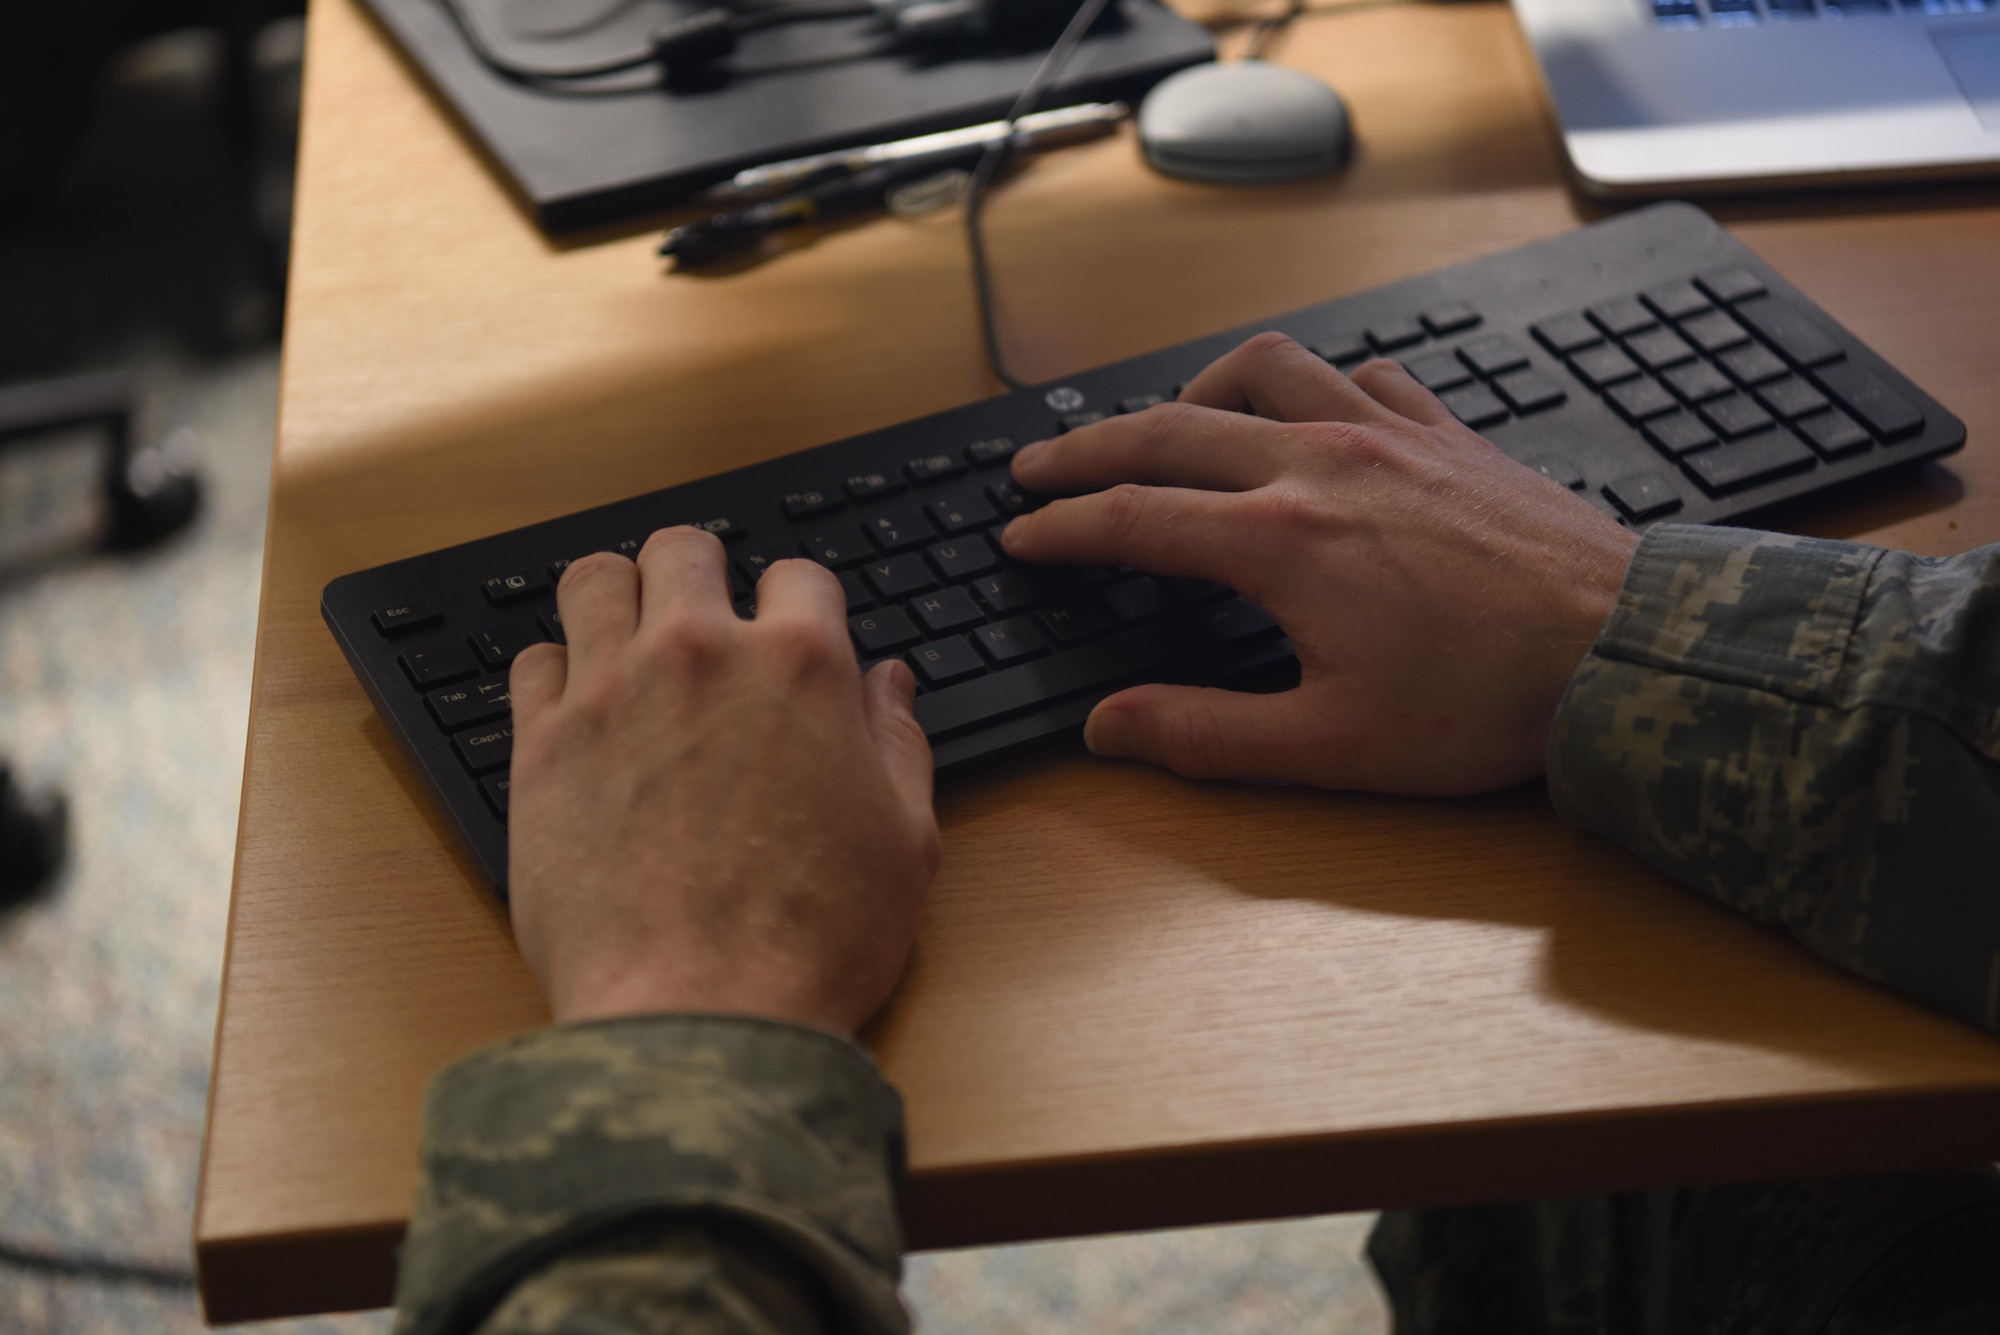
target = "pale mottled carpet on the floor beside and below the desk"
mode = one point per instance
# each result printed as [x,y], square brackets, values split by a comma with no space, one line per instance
[127,682]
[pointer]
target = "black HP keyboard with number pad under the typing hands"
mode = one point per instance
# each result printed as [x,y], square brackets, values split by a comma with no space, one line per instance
[1649,363]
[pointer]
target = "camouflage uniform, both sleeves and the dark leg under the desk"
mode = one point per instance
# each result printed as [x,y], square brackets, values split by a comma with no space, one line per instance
[1803,730]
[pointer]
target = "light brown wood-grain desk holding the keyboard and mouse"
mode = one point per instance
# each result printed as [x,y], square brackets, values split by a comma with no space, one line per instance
[1137,1002]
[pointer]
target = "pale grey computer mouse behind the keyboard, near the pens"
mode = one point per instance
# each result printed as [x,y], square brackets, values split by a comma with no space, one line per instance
[1241,123]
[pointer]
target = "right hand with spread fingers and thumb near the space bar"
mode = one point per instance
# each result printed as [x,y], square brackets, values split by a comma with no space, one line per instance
[1439,595]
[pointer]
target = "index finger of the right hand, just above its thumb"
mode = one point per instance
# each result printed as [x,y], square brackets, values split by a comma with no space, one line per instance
[1165,531]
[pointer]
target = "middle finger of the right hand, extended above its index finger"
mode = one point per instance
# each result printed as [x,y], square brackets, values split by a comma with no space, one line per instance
[1171,445]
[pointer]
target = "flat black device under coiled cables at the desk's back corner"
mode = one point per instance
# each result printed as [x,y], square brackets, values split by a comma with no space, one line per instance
[585,153]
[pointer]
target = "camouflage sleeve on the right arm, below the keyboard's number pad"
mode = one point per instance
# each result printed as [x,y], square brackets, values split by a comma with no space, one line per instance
[1811,734]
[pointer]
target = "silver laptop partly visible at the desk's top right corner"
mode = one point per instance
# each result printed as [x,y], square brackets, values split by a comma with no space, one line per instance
[1679,97]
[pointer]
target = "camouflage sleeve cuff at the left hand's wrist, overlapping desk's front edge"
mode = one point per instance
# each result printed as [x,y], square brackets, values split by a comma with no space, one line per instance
[691,1174]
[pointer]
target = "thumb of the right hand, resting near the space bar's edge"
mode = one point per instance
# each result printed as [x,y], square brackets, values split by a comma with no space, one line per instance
[1203,732]
